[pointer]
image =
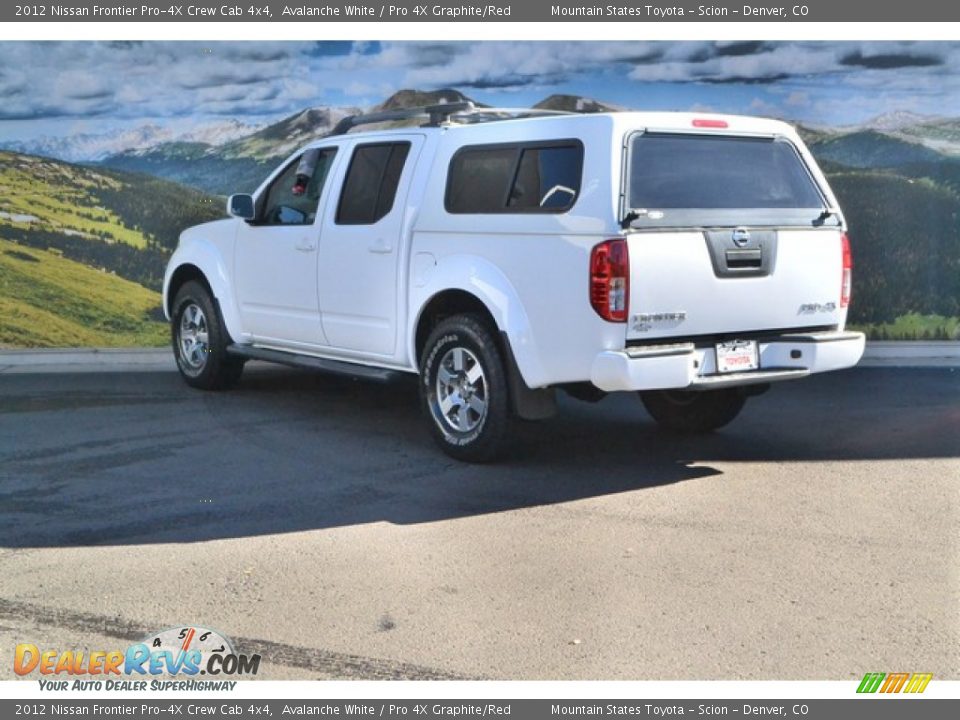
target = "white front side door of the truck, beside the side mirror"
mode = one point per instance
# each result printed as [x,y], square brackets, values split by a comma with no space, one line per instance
[275,260]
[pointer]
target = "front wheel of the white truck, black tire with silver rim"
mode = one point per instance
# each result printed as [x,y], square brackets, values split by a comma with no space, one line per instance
[204,365]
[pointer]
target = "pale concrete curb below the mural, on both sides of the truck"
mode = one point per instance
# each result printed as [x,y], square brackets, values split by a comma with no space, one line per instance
[67,360]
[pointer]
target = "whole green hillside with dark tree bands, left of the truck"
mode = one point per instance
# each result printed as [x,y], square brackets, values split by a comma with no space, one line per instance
[82,252]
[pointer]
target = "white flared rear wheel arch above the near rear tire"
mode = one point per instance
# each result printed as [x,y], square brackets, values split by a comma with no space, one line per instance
[486,282]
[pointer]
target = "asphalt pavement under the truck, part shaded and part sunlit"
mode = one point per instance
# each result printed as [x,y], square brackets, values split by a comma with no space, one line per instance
[311,519]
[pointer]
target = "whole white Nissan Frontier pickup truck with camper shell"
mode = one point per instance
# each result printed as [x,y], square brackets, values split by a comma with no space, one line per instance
[503,255]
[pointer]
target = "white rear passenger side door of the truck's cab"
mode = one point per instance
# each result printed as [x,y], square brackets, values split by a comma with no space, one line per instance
[360,245]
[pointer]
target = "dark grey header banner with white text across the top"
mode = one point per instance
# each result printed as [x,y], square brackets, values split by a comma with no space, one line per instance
[482,11]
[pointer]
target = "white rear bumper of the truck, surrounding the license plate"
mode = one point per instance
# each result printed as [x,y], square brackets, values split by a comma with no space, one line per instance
[693,367]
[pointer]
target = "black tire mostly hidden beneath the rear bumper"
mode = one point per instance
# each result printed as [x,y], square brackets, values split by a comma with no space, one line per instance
[693,412]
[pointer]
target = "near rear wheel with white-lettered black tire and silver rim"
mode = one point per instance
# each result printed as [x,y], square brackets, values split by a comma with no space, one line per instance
[456,347]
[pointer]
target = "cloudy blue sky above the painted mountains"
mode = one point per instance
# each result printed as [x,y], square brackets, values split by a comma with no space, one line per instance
[62,88]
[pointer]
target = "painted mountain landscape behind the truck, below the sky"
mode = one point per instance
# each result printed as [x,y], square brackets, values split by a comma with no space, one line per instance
[86,230]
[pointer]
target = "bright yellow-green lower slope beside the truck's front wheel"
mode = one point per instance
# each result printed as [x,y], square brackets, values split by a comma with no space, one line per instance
[49,301]
